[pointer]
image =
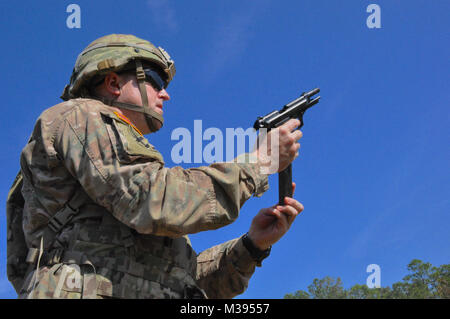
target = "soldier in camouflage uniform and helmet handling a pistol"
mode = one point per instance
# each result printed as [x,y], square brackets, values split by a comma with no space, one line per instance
[104,218]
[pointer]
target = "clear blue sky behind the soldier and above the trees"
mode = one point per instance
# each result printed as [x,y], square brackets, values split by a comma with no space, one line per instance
[373,170]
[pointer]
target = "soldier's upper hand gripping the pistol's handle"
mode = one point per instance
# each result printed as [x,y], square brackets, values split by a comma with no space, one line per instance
[276,156]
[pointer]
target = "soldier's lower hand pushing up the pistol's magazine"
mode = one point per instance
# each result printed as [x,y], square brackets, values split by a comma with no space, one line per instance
[270,224]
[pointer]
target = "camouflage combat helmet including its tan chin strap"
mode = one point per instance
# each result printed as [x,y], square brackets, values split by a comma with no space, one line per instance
[115,53]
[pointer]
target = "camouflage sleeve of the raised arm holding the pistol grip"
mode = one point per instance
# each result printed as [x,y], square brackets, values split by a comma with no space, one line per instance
[121,171]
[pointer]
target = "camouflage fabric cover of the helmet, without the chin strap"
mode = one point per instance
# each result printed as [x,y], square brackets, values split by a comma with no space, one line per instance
[112,53]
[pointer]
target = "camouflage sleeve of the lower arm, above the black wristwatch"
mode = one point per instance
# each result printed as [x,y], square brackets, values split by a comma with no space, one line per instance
[223,271]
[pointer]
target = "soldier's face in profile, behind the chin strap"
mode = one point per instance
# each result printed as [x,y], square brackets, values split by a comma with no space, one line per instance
[129,93]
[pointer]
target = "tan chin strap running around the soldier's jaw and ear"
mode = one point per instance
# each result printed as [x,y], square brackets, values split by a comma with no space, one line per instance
[150,115]
